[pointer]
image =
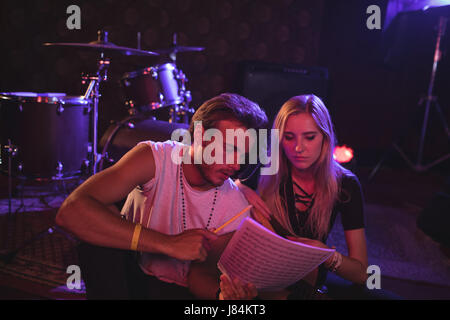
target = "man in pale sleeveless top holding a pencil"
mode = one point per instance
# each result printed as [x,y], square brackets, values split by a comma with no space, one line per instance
[169,208]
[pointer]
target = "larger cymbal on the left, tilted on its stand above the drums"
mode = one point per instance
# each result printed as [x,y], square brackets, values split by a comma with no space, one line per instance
[103,46]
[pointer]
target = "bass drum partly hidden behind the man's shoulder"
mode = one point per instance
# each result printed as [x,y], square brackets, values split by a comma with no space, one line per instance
[124,135]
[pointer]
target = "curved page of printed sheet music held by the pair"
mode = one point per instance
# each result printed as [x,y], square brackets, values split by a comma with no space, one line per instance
[259,256]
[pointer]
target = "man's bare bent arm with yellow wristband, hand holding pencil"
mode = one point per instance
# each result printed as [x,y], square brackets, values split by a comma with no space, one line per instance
[85,212]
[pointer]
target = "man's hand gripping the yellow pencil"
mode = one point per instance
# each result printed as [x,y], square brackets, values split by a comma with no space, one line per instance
[191,245]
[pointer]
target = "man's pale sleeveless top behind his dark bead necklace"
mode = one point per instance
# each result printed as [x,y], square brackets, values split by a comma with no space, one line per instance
[157,206]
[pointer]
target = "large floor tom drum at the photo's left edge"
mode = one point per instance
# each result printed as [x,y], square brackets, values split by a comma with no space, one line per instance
[49,130]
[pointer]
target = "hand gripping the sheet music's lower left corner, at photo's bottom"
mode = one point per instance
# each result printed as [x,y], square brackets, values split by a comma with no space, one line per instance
[235,289]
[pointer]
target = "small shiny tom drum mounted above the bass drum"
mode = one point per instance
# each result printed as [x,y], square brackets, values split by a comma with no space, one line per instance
[154,87]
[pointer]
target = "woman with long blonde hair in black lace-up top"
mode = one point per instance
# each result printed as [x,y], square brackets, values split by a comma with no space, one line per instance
[305,196]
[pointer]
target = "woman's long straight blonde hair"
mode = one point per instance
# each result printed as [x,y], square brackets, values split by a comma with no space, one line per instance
[326,170]
